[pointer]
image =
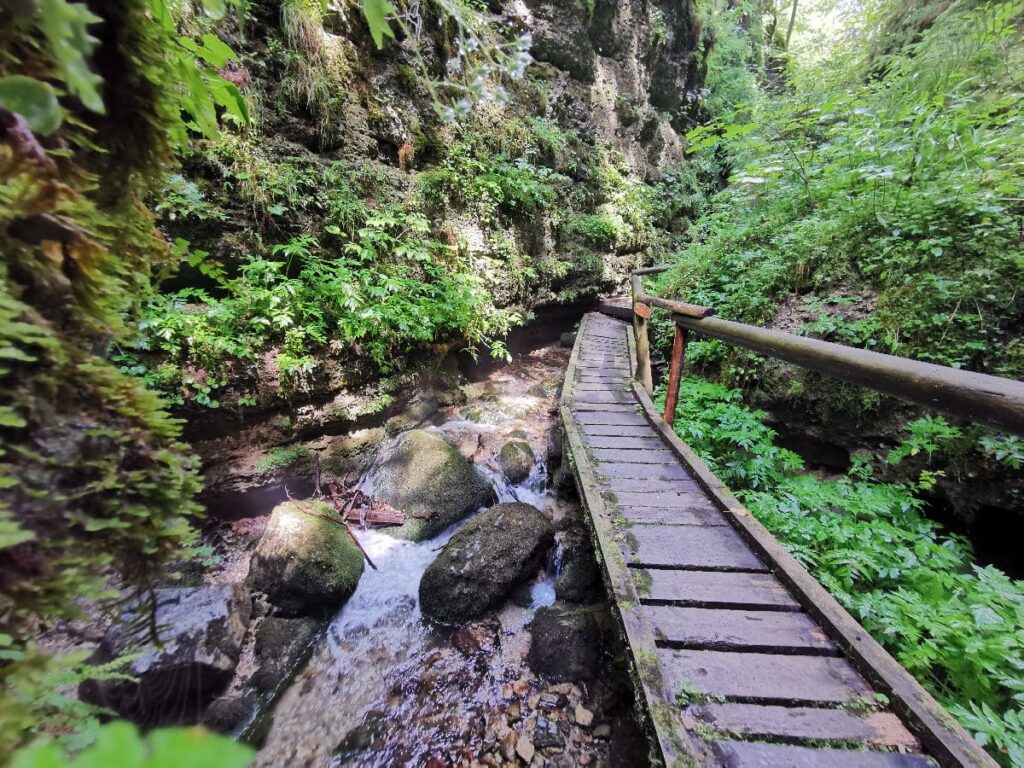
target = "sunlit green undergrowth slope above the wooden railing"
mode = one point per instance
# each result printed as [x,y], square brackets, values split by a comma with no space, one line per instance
[877,201]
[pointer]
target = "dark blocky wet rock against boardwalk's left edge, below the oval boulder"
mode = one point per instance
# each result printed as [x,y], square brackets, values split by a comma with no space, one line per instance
[566,642]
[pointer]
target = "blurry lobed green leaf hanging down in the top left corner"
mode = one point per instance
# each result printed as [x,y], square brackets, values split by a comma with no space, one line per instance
[66,27]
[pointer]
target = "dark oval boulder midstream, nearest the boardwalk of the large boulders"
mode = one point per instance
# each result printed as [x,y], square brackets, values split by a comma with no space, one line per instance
[485,563]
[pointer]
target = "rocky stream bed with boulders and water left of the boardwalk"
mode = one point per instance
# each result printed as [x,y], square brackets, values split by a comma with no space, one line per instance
[480,636]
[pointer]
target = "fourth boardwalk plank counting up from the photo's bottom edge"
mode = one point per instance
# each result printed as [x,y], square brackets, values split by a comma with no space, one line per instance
[717,629]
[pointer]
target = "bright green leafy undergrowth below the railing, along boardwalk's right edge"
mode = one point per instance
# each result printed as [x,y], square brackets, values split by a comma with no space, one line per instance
[957,627]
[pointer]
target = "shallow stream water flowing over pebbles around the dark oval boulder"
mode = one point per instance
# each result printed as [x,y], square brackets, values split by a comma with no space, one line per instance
[388,689]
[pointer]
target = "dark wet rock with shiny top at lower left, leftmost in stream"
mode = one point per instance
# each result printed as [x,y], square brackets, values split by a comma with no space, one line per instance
[200,632]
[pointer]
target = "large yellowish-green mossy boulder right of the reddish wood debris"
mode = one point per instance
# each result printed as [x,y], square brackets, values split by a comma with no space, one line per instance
[430,481]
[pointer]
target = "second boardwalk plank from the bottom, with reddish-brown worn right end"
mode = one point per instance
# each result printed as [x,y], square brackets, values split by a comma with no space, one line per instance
[803,723]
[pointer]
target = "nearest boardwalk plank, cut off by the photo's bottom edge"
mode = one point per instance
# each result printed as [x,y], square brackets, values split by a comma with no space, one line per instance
[754,755]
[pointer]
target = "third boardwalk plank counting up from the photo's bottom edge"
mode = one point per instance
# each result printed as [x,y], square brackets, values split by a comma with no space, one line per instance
[769,678]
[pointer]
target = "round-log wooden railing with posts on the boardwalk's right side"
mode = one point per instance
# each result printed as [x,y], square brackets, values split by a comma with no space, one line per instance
[986,400]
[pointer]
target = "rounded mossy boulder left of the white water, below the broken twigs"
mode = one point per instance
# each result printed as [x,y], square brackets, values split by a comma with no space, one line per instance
[306,565]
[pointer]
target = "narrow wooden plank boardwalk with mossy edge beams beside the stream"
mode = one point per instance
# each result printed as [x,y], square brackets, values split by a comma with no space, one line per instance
[741,658]
